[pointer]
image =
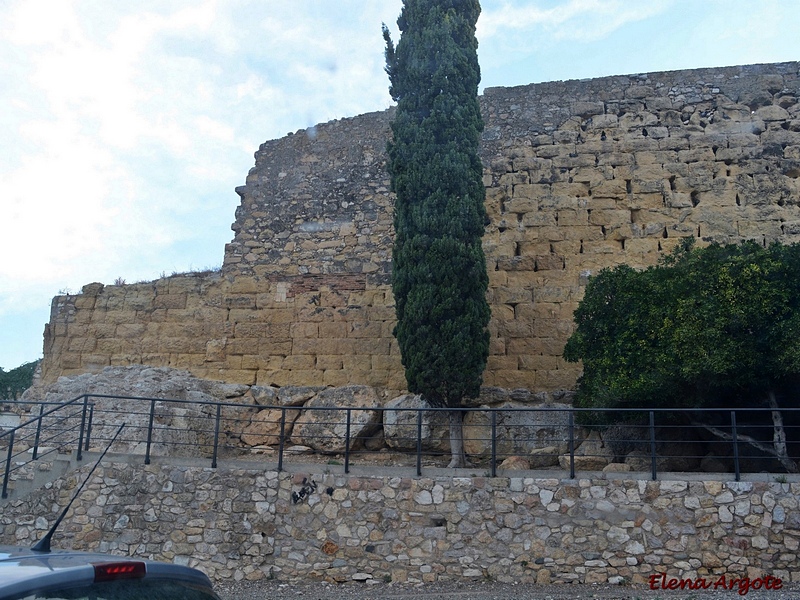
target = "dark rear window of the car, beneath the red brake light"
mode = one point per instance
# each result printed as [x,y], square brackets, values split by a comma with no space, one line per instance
[130,589]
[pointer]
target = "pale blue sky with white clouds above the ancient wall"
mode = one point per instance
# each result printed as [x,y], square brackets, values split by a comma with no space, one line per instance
[126,126]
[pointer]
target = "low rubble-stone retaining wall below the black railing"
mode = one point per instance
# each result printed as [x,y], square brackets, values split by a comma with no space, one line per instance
[252,523]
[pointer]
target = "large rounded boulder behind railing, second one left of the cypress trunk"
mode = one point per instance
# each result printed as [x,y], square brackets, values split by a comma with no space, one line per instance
[325,430]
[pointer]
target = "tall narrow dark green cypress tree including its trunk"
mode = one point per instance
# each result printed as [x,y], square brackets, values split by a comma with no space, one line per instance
[439,275]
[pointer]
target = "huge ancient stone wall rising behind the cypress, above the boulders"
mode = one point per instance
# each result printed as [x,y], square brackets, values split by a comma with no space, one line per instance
[580,175]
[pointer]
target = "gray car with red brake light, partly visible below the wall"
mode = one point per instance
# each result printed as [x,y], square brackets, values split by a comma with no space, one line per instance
[69,575]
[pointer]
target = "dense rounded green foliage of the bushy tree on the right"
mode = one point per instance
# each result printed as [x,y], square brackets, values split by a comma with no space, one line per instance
[706,327]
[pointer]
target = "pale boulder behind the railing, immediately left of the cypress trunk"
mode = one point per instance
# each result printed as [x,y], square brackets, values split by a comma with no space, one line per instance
[400,425]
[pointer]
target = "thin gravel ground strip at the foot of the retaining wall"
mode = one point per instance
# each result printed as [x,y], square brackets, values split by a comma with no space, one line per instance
[482,590]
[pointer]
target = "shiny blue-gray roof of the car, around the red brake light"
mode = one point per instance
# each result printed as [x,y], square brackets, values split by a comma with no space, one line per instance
[23,569]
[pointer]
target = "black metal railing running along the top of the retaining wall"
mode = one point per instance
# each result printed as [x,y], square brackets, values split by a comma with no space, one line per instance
[656,440]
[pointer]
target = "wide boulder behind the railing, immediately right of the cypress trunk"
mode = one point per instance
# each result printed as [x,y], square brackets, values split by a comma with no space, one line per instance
[518,431]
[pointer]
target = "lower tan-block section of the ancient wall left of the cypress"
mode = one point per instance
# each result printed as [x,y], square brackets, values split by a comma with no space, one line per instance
[287,330]
